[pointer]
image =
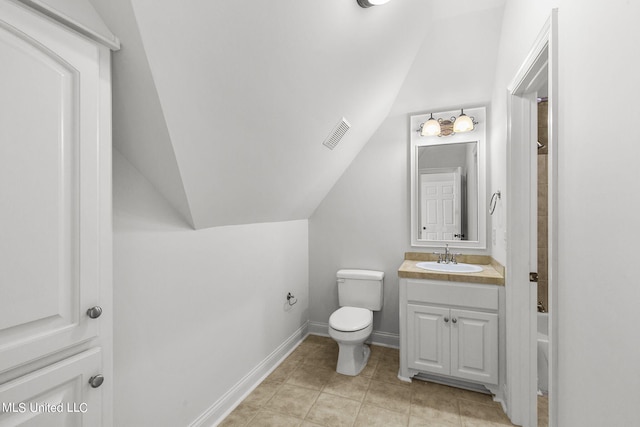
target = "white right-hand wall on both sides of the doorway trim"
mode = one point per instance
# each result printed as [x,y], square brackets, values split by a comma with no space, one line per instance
[599,195]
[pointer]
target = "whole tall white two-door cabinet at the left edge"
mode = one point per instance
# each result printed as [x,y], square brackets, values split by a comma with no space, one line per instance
[55,223]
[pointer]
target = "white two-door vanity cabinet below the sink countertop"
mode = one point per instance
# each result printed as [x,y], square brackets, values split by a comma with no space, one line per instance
[449,329]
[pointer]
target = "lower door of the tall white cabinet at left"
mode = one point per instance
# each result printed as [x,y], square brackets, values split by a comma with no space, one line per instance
[57,396]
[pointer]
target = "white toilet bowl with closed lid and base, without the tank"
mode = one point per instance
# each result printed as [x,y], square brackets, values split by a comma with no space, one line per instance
[350,327]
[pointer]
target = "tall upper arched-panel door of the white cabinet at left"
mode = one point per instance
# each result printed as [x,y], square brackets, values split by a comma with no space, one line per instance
[49,195]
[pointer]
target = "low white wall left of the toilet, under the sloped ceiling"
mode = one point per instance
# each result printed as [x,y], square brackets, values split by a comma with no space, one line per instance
[195,311]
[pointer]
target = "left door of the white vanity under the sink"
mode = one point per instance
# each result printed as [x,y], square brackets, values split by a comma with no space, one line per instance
[428,338]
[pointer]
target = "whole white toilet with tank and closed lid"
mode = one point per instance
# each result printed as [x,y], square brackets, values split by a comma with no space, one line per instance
[359,294]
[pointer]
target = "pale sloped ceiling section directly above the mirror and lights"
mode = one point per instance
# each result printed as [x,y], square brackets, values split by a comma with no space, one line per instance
[455,66]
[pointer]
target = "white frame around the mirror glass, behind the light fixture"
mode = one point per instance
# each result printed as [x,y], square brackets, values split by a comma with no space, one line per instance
[416,141]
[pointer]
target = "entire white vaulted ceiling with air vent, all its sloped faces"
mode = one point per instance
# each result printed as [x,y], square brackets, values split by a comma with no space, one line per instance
[224,105]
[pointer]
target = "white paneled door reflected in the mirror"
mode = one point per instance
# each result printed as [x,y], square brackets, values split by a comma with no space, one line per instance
[440,210]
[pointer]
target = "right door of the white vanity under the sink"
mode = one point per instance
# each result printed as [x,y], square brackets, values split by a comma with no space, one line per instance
[474,346]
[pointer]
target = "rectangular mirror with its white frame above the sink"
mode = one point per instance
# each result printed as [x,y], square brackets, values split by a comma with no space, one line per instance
[448,183]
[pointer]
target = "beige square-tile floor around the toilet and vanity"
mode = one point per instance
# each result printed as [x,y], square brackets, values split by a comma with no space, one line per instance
[305,390]
